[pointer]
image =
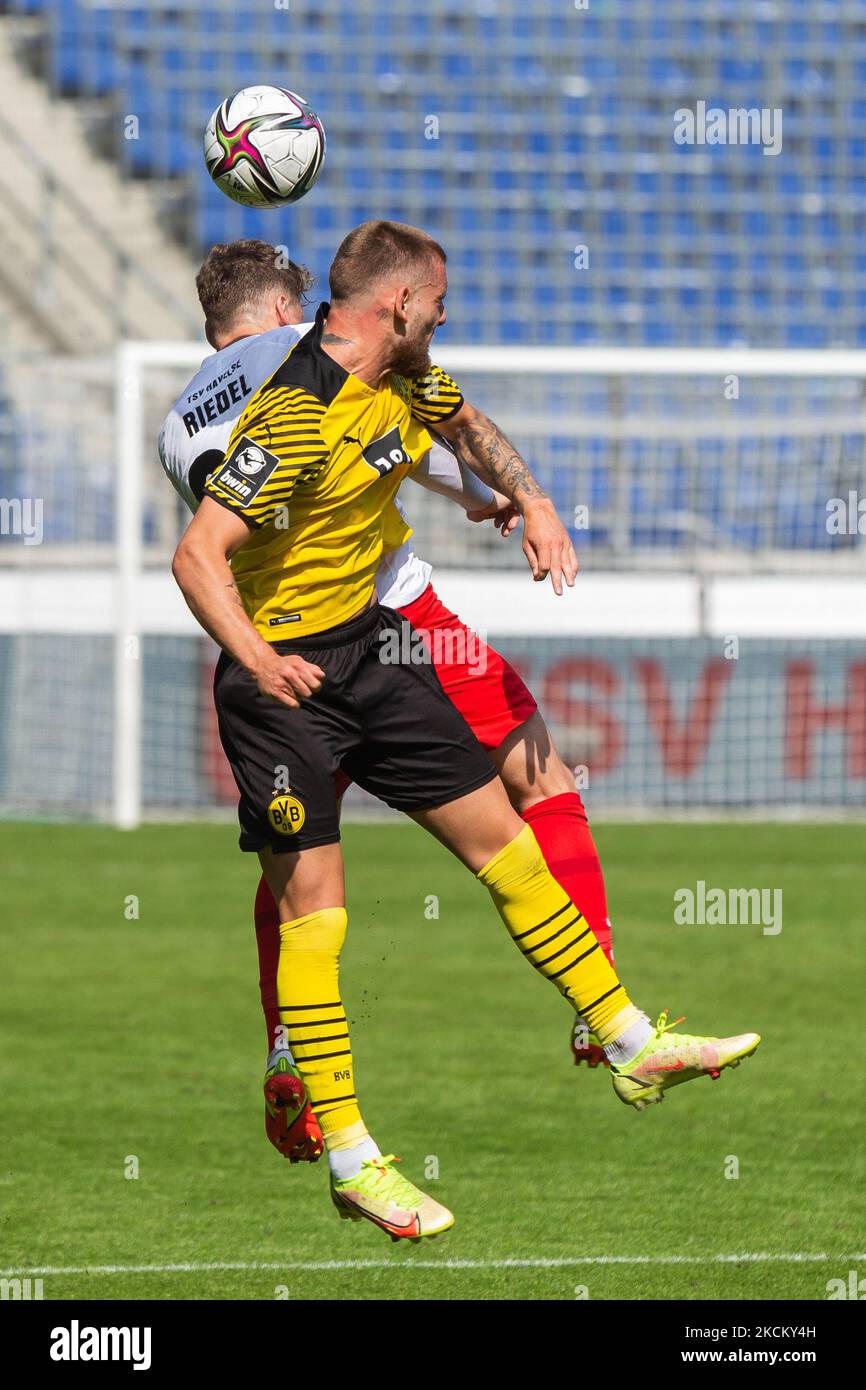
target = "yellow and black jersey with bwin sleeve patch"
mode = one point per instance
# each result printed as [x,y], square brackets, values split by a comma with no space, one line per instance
[313,466]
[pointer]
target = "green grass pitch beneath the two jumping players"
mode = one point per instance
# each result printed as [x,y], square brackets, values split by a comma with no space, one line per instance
[141,1040]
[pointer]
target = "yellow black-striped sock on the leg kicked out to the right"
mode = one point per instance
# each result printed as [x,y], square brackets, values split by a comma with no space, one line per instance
[554,936]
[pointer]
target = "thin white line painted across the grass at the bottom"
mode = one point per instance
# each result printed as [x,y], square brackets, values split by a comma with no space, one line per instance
[330,1266]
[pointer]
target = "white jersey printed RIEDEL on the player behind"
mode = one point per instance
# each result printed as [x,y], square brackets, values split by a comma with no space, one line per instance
[199,426]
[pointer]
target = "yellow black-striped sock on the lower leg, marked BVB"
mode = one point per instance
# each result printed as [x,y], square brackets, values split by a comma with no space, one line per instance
[308,992]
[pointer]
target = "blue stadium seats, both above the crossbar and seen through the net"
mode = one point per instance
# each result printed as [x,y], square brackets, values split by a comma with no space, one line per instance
[534,154]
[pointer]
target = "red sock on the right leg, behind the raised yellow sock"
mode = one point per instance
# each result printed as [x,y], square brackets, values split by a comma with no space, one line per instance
[565,839]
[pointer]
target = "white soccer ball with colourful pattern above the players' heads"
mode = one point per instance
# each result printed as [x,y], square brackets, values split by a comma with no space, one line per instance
[265,147]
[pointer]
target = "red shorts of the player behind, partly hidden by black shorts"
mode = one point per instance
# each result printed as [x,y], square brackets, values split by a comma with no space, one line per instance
[479,682]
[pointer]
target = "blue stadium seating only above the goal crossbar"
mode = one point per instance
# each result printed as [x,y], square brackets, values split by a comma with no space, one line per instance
[541,148]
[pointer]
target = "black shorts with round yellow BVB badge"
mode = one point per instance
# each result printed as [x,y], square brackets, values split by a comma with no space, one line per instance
[389,725]
